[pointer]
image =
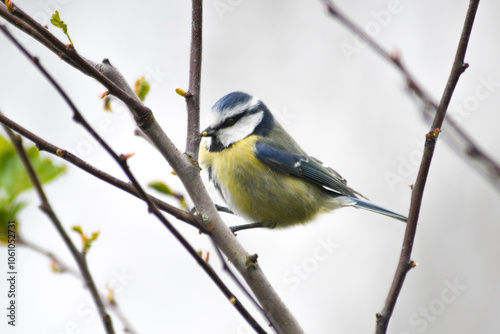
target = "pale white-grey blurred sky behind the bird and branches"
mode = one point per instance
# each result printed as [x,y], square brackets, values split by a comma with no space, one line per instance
[350,111]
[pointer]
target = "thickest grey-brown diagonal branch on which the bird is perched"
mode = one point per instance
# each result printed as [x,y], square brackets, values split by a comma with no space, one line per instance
[188,173]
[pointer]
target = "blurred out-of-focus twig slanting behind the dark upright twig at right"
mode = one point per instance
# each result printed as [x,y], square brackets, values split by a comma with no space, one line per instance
[460,141]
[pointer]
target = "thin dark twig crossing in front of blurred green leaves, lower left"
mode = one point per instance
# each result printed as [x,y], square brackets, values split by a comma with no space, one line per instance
[45,206]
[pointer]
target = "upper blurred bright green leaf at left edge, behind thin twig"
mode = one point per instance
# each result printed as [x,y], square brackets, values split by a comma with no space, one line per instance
[13,176]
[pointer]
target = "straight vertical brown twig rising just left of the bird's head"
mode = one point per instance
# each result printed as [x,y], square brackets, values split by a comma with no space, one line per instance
[193,96]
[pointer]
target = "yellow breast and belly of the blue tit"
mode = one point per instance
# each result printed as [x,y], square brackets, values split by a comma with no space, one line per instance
[258,193]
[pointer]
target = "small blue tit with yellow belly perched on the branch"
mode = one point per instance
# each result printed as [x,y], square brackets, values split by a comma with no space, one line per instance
[262,173]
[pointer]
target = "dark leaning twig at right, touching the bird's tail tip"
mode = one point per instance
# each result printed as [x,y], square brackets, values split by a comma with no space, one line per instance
[405,264]
